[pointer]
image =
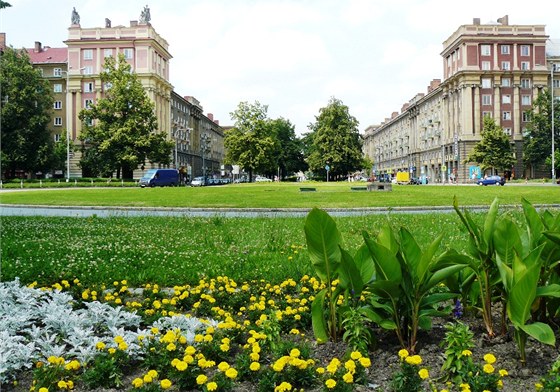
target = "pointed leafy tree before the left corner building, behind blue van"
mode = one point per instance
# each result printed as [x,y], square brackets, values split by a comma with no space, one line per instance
[123,135]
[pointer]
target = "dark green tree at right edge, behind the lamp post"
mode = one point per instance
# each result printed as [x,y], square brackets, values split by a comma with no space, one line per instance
[537,142]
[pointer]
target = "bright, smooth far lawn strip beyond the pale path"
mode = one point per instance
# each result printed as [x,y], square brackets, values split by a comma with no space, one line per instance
[285,195]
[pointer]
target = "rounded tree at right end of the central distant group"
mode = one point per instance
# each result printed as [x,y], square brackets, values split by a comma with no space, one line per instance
[335,140]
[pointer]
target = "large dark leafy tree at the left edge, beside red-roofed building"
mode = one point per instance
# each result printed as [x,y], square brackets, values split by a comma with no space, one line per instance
[27,98]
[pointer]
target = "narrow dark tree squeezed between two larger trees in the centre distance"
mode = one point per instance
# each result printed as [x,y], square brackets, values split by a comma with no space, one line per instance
[290,154]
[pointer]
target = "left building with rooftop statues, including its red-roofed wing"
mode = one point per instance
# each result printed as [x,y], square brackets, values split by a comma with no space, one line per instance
[74,72]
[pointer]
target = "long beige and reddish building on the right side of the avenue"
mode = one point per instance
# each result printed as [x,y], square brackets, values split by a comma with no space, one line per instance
[494,70]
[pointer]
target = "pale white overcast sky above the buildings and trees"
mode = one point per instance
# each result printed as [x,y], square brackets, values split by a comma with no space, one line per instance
[291,55]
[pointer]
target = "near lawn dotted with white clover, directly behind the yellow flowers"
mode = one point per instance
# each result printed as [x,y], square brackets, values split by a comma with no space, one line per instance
[171,251]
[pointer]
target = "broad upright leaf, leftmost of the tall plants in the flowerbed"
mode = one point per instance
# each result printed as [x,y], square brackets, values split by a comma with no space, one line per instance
[323,239]
